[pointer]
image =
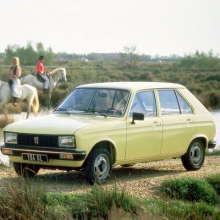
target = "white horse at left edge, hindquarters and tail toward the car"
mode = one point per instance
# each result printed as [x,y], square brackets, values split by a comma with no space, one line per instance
[29,93]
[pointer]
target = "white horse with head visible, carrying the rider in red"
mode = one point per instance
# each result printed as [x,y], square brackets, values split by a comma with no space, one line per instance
[54,77]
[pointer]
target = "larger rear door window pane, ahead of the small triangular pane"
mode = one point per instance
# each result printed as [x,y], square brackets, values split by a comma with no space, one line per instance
[168,102]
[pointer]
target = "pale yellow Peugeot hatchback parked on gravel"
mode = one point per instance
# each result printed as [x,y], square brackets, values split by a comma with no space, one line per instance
[98,126]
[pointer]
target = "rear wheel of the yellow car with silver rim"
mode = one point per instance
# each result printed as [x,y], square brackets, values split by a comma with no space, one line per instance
[195,156]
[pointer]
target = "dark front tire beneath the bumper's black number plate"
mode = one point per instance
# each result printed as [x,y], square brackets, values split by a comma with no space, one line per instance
[26,170]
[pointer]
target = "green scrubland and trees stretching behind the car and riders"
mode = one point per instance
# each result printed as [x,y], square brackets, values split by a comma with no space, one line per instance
[199,72]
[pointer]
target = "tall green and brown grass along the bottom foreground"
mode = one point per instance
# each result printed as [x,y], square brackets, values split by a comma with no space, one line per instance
[28,199]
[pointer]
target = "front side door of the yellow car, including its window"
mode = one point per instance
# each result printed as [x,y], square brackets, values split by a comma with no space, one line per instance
[144,137]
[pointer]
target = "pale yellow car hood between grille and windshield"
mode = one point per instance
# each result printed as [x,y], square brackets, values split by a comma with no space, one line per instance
[54,124]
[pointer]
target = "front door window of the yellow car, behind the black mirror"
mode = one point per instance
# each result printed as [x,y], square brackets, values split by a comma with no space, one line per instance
[144,102]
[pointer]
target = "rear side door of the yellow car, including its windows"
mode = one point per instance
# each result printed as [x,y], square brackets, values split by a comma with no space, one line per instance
[178,122]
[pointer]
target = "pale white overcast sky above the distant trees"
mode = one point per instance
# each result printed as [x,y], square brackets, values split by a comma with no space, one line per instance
[154,27]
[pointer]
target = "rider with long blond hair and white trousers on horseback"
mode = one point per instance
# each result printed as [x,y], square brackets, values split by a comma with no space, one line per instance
[14,81]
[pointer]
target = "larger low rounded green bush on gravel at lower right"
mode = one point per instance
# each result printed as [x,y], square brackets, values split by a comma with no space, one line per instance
[191,189]
